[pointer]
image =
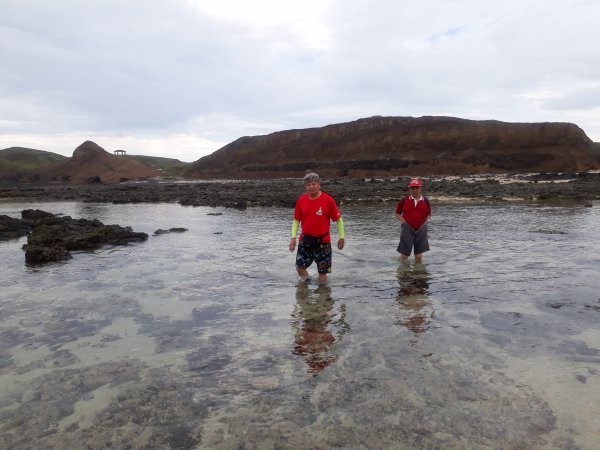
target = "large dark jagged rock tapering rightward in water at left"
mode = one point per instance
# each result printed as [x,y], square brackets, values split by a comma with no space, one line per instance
[53,238]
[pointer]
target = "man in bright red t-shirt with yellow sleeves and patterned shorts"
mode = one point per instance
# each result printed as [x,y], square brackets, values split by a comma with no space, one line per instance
[314,210]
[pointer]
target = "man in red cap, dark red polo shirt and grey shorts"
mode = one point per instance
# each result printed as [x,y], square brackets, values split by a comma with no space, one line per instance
[413,212]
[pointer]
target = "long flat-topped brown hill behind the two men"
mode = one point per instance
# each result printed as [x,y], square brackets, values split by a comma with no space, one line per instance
[404,146]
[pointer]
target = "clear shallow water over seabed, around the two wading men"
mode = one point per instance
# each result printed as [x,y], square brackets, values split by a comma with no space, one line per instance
[206,339]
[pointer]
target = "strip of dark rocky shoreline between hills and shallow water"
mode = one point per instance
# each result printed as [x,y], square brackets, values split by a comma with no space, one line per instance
[584,186]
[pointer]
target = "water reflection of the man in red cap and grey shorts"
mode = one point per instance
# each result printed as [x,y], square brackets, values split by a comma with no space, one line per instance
[413,297]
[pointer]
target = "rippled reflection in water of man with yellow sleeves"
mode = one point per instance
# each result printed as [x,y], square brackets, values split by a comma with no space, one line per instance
[317,327]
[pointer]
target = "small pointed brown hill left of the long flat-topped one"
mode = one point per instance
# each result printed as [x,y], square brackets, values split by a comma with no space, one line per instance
[92,164]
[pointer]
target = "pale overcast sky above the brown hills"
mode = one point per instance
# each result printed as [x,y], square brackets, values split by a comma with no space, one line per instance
[182,78]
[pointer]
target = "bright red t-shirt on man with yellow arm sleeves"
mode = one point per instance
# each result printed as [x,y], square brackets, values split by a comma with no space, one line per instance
[315,214]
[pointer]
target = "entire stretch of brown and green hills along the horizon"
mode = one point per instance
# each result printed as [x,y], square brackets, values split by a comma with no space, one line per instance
[374,146]
